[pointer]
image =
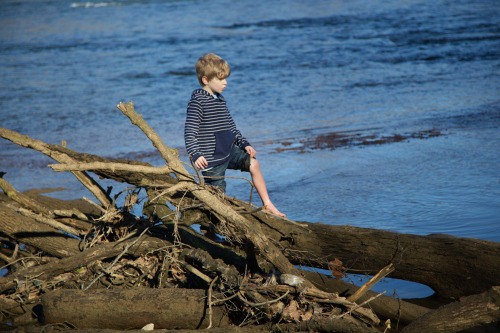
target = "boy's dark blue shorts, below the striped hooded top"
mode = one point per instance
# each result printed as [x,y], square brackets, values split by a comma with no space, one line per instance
[239,160]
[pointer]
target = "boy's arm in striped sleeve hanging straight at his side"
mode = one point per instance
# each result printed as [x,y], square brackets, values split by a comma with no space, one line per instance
[191,128]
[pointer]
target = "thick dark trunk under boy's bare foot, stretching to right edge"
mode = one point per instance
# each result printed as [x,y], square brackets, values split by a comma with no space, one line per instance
[451,266]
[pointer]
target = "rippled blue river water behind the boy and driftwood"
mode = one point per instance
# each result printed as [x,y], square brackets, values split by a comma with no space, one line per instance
[303,72]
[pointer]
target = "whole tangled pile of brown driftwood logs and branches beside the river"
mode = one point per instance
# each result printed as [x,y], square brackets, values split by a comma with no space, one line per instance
[81,266]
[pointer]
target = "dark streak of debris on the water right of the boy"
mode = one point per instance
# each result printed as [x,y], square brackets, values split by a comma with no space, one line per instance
[335,140]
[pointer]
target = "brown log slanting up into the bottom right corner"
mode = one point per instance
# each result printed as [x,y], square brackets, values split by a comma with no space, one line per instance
[468,312]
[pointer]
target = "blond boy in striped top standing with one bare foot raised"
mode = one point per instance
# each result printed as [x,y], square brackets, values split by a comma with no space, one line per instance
[213,142]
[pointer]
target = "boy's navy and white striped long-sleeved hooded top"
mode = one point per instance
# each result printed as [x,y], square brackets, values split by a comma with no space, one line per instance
[210,130]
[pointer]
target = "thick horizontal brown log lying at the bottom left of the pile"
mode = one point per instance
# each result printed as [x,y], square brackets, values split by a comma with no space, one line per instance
[167,308]
